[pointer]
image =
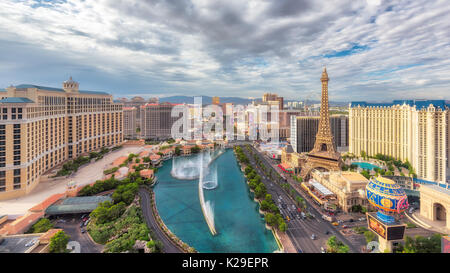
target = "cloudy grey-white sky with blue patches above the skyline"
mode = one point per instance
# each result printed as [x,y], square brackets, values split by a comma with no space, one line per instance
[374,50]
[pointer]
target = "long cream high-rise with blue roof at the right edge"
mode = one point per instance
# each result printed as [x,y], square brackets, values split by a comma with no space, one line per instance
[413,130]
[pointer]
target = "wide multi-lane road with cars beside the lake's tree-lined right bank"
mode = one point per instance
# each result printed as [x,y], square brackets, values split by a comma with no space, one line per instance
[299,230]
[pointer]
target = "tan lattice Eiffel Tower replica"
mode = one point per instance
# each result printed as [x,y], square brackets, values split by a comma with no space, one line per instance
[324,154]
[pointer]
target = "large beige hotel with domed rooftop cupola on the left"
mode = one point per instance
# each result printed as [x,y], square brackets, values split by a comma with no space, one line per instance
[41,127]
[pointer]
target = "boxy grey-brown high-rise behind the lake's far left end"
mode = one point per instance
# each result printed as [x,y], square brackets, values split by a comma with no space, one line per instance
[156,120]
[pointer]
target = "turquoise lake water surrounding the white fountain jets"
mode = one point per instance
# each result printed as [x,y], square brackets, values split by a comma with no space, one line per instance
[239,225]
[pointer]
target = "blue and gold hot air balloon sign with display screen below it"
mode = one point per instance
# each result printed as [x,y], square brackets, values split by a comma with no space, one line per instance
[391,201]
